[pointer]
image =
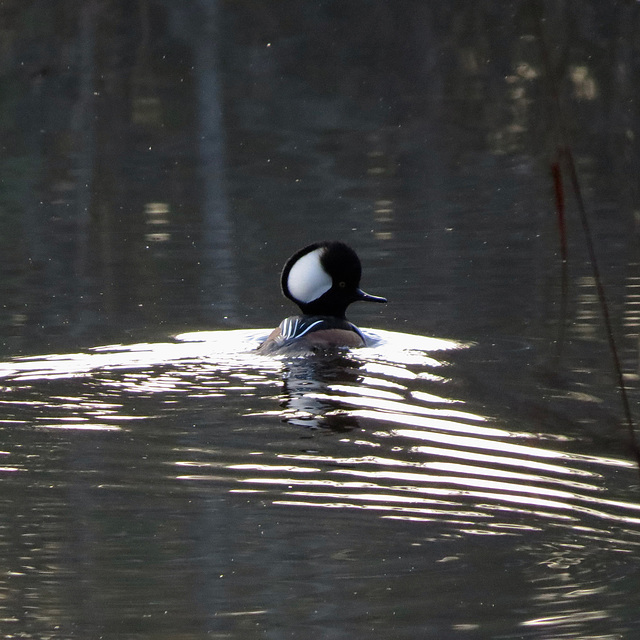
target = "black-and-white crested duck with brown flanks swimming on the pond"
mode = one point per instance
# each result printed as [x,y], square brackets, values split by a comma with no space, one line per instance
[323,279]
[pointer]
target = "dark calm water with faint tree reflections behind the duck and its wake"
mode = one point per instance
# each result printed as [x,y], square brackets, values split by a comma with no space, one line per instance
[161,160]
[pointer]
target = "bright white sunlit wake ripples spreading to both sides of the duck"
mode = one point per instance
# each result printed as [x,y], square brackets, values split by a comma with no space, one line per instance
[434,457]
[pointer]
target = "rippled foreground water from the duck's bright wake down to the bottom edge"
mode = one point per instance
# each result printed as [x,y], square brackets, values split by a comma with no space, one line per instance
[182,488]
